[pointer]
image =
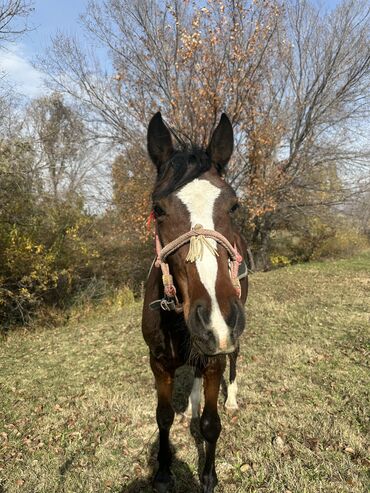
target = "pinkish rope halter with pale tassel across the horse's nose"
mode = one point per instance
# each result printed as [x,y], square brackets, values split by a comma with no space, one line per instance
[199,239]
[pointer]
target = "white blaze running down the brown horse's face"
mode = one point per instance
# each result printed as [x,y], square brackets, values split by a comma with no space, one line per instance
[199,197]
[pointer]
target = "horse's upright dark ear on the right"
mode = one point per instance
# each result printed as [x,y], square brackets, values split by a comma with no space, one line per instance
[222,143]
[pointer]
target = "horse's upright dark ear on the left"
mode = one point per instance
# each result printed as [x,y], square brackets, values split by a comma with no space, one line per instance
[160,146]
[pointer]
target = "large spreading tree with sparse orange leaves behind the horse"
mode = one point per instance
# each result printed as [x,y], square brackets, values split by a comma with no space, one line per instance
[293,80]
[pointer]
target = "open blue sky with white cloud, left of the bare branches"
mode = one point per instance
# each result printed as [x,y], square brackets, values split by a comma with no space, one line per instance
[48,17]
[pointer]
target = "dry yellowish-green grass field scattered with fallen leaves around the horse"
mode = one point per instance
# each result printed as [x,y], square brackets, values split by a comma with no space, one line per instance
[77,403]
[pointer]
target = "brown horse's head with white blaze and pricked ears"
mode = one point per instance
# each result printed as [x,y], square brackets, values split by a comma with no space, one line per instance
[190,192]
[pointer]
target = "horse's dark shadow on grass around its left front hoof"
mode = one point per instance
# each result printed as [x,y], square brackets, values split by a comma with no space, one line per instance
[184,481]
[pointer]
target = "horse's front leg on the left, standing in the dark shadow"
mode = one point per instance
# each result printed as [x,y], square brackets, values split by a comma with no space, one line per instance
[165,415]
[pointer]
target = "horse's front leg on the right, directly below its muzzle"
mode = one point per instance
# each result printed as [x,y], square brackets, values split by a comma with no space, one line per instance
[210,423]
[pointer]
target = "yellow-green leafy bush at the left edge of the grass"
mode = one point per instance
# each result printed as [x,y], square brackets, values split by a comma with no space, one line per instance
[43,261]
